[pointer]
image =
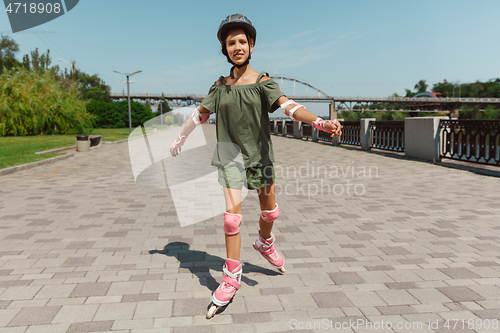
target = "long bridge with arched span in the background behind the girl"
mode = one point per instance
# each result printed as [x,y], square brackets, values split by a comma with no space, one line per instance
[357,103]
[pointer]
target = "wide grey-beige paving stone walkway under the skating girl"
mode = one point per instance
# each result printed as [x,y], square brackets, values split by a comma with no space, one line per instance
[83,249]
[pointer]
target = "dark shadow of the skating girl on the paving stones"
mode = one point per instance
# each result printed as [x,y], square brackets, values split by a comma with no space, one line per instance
[199,263]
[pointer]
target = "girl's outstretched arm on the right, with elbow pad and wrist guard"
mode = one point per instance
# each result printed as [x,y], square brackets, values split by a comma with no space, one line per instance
[299,112]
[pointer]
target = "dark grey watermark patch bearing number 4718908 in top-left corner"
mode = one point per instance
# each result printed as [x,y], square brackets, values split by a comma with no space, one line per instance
[28,14]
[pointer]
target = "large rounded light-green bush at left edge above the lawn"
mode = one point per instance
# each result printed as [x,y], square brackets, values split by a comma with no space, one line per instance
[33,102]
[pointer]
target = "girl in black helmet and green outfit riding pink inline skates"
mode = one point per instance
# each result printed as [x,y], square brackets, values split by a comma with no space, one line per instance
[241,102]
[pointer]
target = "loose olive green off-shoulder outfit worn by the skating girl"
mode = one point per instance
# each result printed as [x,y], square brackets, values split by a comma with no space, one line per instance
[242,125]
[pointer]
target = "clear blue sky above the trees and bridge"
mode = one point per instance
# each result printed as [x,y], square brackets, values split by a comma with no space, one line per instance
[346,48]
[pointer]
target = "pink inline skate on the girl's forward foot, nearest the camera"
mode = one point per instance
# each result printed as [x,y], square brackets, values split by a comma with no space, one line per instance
[229,286]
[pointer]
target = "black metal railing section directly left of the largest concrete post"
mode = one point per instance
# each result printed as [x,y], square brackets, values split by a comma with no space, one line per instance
[387,135]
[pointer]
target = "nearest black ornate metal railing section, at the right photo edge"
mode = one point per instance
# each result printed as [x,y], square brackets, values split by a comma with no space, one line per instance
[476,141]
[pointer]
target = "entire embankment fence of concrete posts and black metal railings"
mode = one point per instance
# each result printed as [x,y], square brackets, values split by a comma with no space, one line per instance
[426,138]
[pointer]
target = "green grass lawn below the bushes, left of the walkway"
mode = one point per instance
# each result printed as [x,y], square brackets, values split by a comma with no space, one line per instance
[21,149]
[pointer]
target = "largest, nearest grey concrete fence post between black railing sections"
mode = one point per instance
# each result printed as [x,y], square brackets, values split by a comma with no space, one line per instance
[423,138]
